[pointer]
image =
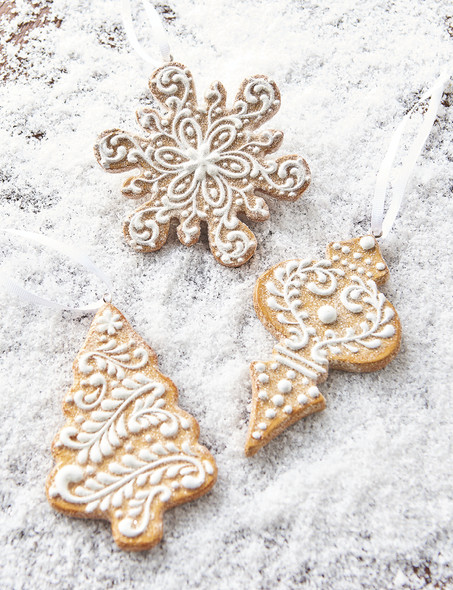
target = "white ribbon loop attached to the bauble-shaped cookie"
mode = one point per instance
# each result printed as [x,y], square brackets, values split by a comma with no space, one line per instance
[382,224]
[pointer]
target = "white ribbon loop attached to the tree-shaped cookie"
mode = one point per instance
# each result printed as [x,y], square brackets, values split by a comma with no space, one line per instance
[71,252]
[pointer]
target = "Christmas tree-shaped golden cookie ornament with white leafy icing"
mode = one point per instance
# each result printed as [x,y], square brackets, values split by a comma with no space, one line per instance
[127,451]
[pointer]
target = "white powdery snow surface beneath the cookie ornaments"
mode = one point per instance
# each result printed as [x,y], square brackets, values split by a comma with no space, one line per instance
[358,496]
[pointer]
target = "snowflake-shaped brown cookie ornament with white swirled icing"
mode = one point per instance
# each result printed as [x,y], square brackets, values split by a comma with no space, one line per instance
[203,163]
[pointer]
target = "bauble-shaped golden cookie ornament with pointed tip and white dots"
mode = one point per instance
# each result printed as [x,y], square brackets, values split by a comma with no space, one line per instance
[326,314]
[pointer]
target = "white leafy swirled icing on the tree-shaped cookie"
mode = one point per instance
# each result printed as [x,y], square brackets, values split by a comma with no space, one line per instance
[110,415]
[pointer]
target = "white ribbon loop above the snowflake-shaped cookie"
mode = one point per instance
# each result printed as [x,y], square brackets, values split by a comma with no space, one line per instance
[157,31]
